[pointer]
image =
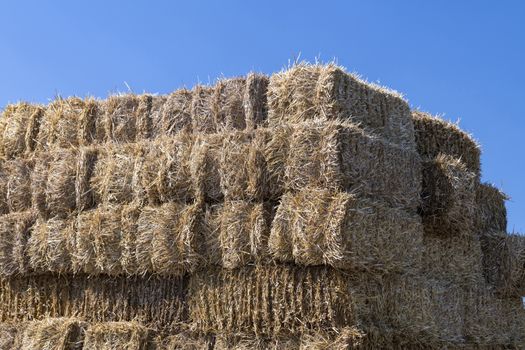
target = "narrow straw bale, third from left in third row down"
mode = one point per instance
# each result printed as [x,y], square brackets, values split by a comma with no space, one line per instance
[98,241]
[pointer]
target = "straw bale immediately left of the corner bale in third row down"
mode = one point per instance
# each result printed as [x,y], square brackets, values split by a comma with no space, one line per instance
[236,233]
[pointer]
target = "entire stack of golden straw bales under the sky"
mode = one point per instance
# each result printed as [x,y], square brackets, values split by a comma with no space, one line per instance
[306,210]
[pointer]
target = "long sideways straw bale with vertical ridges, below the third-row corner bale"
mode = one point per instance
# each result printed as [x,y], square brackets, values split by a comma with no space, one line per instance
[268,301]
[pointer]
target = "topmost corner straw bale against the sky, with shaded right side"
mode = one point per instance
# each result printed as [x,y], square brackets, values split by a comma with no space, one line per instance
[306,92]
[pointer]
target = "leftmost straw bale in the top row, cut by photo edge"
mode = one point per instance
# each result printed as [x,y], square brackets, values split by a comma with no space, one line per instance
[19,125]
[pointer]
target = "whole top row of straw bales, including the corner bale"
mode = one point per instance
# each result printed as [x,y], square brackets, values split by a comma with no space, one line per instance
[304,92]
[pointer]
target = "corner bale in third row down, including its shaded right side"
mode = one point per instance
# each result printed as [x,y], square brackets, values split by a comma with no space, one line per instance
[317,226]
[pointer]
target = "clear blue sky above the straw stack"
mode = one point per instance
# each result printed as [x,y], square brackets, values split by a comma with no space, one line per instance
[462,59]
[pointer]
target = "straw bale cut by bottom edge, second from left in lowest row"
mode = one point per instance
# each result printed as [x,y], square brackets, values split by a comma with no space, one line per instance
[53,334]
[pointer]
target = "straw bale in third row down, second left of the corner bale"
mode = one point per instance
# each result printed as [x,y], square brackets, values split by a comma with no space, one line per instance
[167,242]
